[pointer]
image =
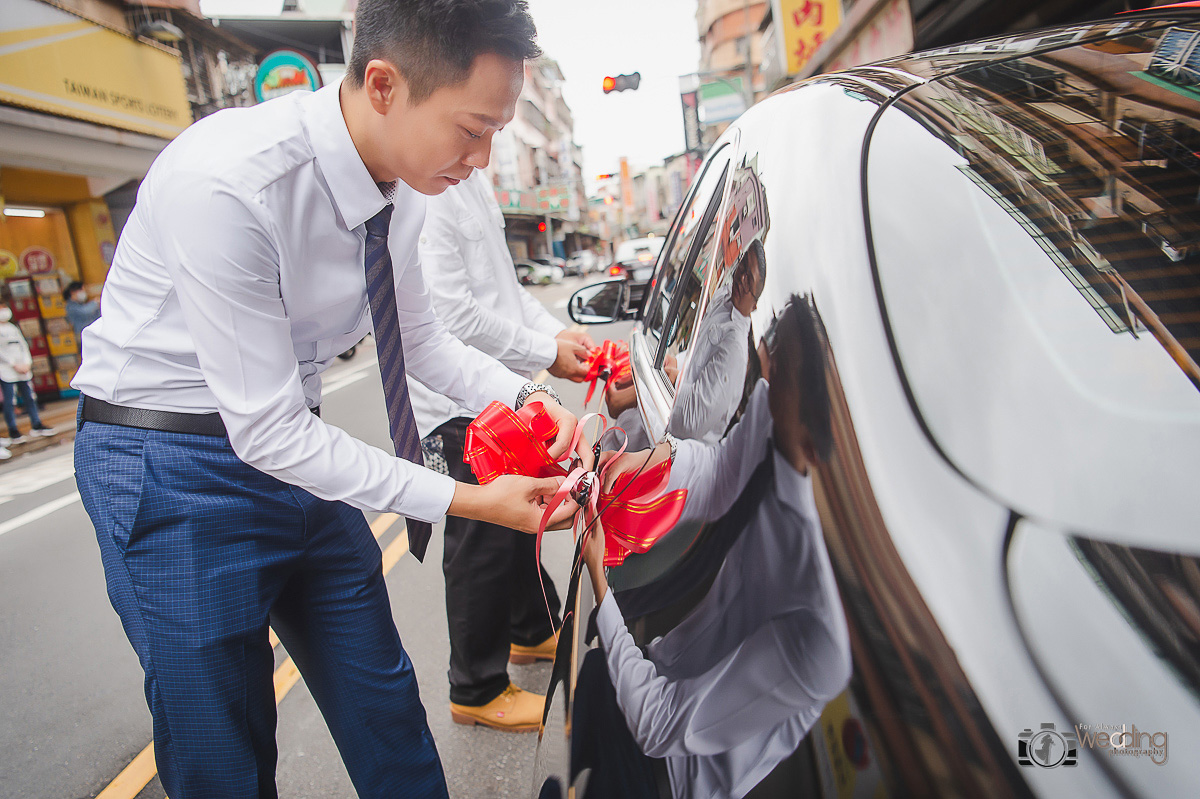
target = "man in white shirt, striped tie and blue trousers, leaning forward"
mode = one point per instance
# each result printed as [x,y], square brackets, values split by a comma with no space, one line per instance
[265,243]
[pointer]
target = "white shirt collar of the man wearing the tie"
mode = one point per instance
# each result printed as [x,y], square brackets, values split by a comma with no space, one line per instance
[356,195]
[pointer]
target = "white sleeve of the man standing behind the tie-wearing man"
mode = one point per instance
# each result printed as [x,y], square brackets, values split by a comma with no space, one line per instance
[446,271]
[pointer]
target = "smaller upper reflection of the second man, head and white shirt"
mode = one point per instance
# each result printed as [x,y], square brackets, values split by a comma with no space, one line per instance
[712,382]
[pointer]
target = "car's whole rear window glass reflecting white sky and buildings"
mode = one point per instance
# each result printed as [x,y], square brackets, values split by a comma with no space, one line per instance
[1037,238]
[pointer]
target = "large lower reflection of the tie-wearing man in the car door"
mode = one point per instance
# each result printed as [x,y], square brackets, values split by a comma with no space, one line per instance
[734,689]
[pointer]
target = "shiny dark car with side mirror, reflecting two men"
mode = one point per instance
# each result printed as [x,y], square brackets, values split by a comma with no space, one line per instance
[956,441]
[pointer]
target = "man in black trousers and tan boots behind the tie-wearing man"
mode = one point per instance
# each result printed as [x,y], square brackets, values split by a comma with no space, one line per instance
[495,605]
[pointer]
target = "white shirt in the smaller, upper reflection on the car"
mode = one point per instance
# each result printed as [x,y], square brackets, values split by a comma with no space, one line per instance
[711,389]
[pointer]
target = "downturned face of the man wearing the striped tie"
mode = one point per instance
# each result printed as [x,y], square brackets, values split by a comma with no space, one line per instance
[436,143]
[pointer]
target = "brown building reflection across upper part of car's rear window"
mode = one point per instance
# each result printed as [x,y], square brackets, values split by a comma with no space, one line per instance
[1114,206]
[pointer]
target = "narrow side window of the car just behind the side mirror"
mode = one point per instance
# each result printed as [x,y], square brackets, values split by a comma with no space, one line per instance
[671,281]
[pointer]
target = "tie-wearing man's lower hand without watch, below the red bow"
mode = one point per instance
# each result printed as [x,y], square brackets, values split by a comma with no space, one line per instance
[514,502]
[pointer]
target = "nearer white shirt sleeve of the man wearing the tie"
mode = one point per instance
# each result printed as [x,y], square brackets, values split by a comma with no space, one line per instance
[229,287]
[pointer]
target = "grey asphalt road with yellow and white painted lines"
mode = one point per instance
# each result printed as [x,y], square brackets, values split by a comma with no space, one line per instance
[75,717]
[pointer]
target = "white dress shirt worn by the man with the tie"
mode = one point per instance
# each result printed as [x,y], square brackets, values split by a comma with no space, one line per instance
[241,277]
